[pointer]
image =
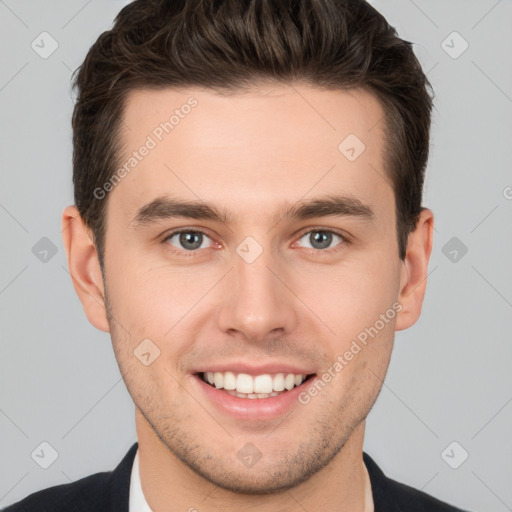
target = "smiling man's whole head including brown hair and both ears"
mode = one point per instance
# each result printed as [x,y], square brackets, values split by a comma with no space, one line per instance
[270,120]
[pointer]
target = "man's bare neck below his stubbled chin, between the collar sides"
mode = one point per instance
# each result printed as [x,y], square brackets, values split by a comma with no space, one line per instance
[169,485]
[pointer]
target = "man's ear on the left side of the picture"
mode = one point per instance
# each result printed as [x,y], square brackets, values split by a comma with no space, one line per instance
[84,267]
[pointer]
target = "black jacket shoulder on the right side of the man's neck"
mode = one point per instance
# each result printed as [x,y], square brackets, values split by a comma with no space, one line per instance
[392,496]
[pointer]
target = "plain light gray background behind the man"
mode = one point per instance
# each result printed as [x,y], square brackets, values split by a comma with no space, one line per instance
[449,378]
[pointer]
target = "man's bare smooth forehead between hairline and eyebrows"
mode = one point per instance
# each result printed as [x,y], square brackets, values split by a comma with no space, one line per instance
[247,152]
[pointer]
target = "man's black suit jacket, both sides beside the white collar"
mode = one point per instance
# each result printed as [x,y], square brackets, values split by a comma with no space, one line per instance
[109,492]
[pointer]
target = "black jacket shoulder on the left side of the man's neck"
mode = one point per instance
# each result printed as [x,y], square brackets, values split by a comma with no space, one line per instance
[101,492]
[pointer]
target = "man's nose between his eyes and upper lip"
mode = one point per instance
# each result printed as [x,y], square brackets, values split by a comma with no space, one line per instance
[258,300]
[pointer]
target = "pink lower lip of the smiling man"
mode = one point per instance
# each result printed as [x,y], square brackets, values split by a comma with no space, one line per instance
[252,408]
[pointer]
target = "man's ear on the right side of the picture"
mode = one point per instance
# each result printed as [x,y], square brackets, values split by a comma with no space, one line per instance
[413,277]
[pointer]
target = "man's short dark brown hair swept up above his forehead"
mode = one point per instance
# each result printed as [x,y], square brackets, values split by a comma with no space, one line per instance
[235,44]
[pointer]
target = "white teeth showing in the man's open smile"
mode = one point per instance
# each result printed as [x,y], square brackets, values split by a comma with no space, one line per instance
[260,386]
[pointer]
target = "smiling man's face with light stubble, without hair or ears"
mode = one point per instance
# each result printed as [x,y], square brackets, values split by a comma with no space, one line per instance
[257,288]
